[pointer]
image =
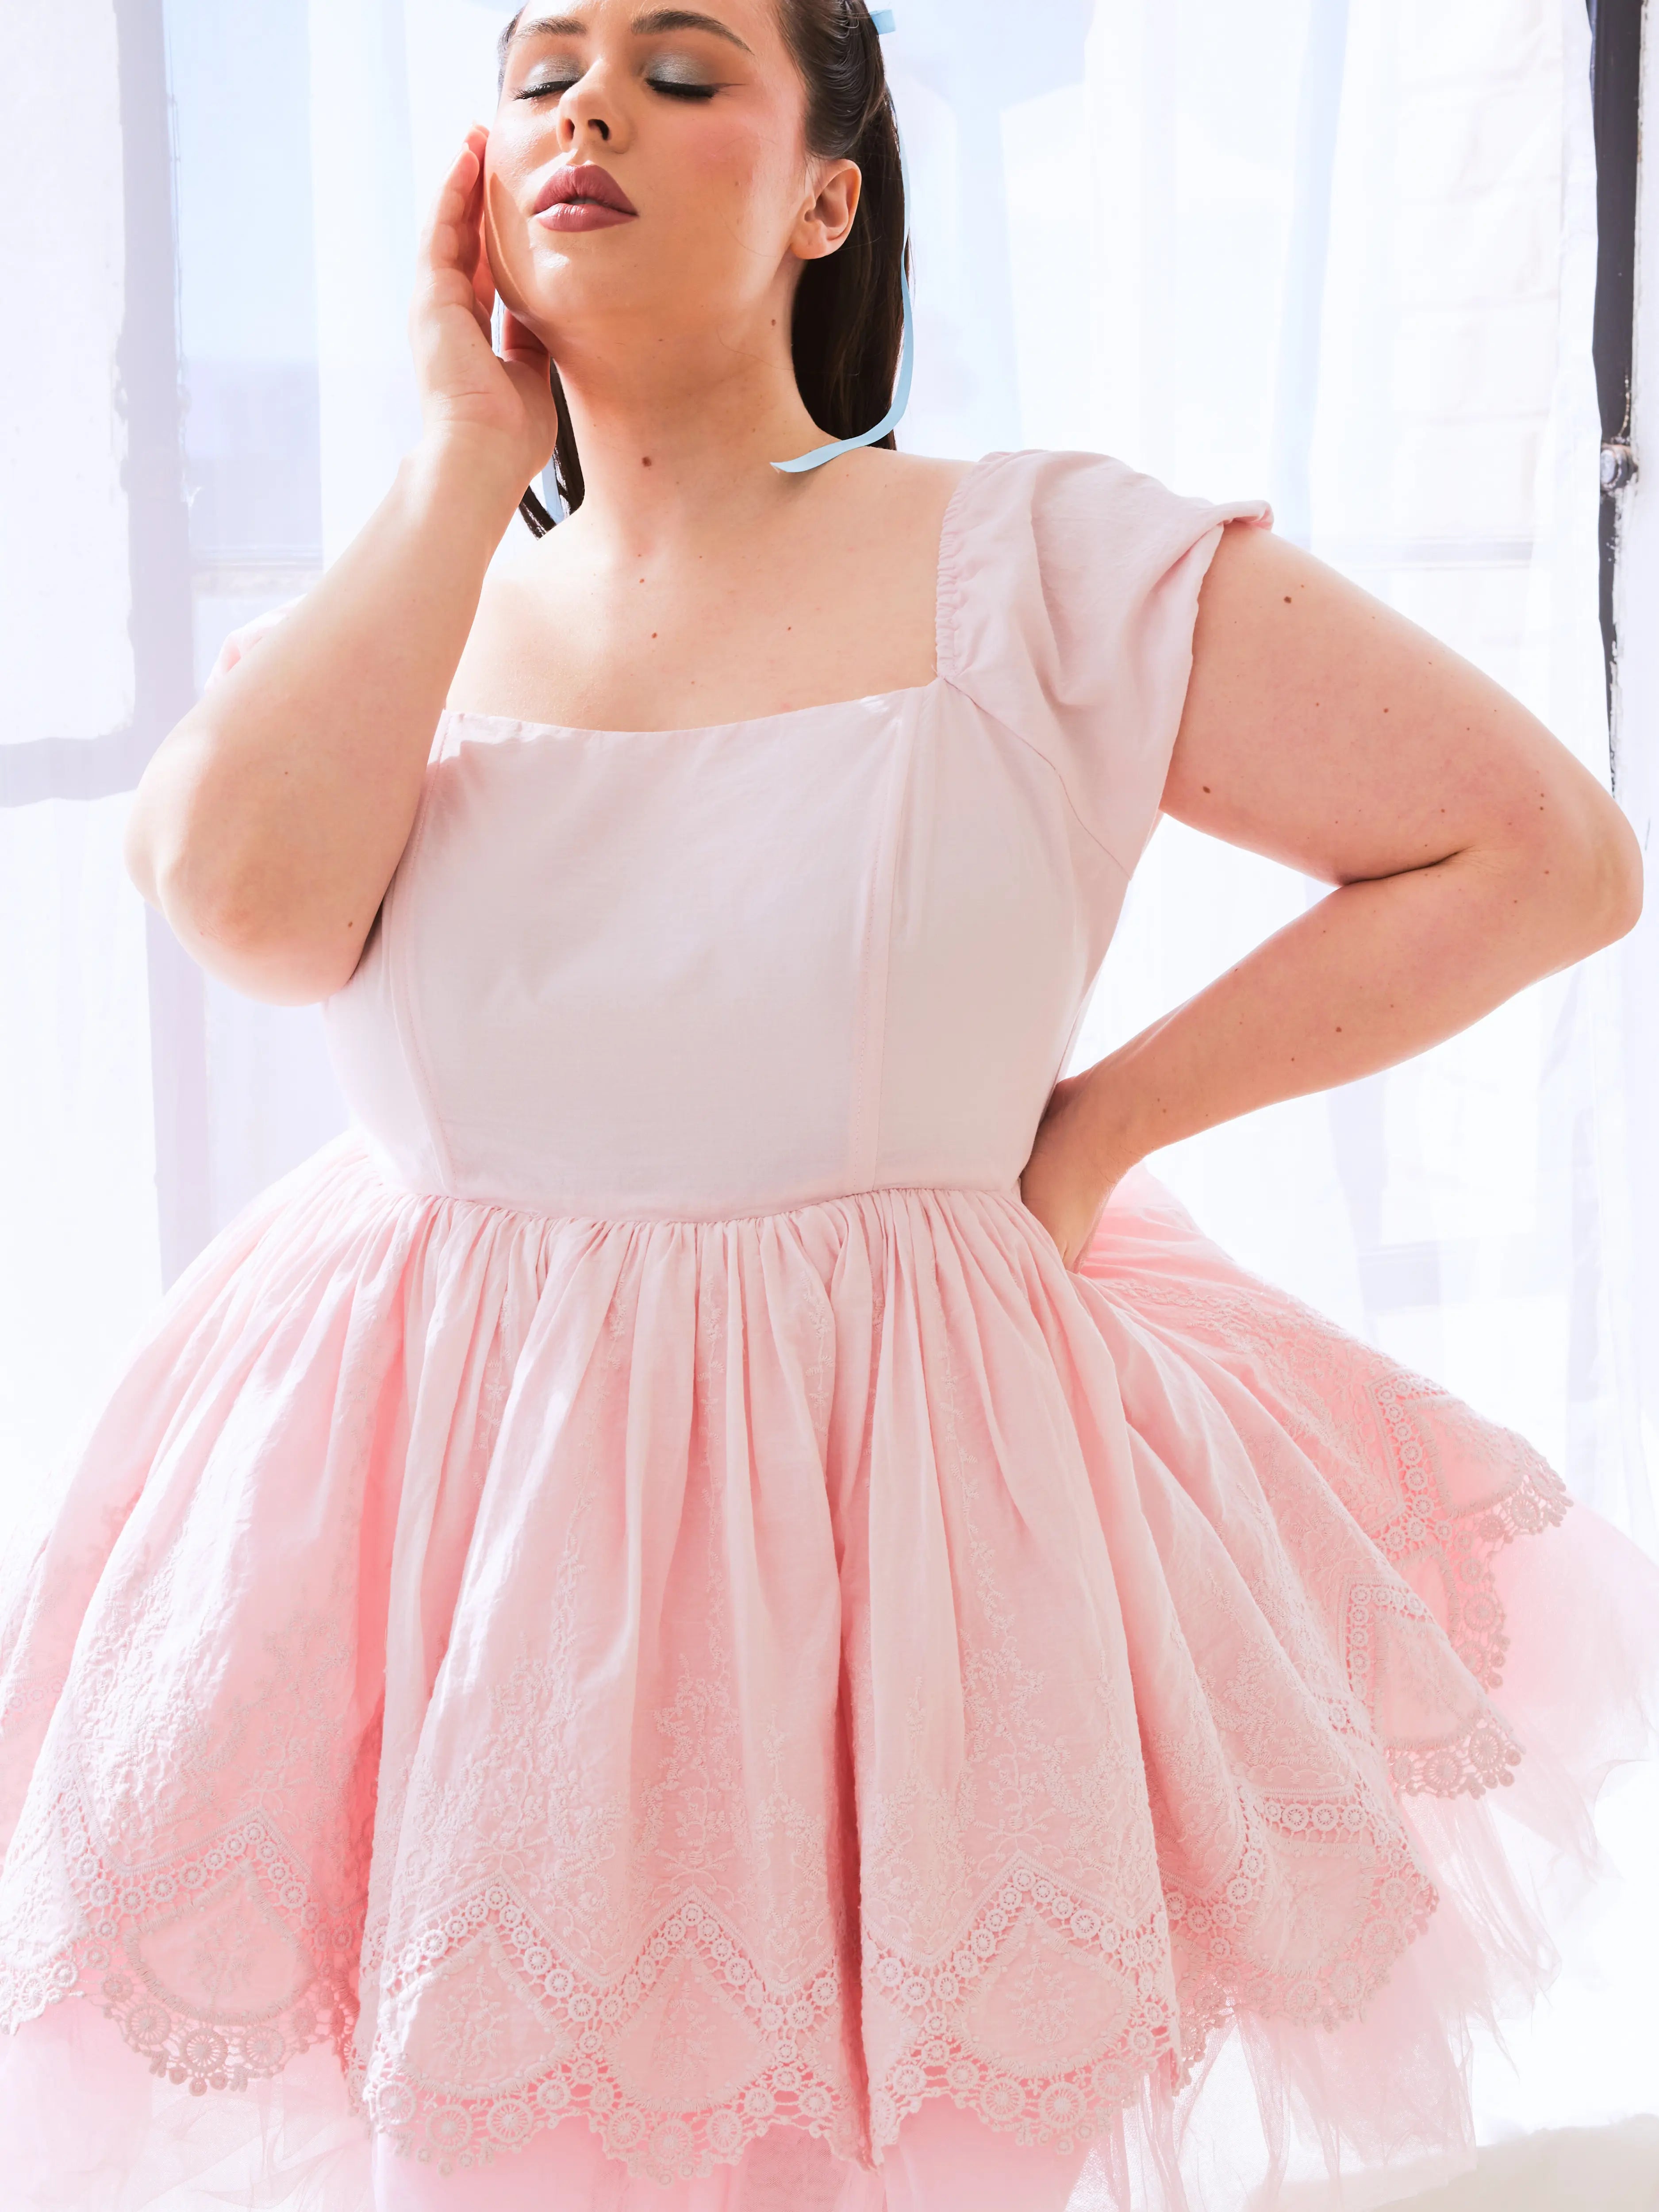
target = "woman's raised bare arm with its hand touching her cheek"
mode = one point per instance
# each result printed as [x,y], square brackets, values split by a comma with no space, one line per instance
[273,817]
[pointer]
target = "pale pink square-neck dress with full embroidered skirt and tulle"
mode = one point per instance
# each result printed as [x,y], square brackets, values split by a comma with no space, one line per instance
[636,1640]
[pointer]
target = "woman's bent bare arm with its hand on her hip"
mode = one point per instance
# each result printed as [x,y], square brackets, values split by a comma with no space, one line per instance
[1470,853]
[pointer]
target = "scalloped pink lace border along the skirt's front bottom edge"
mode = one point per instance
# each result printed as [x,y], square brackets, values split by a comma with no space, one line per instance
[1036,1954]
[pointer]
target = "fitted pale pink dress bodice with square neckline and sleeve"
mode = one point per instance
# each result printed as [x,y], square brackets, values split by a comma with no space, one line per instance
[700,974]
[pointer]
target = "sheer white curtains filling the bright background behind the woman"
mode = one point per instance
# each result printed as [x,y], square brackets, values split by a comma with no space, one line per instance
[1328,251]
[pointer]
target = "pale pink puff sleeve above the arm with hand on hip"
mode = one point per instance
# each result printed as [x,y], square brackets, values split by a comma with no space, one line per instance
[1070,594]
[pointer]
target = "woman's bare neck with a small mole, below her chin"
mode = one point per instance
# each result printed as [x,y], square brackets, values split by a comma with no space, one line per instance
[678,439]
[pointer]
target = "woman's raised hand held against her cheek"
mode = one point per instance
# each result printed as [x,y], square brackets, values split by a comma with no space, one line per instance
[466,386]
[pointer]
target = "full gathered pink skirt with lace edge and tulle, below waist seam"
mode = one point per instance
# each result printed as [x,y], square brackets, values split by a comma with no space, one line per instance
[826,1711]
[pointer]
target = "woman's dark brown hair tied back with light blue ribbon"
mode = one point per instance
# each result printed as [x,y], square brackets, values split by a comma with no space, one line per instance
[851,306]
